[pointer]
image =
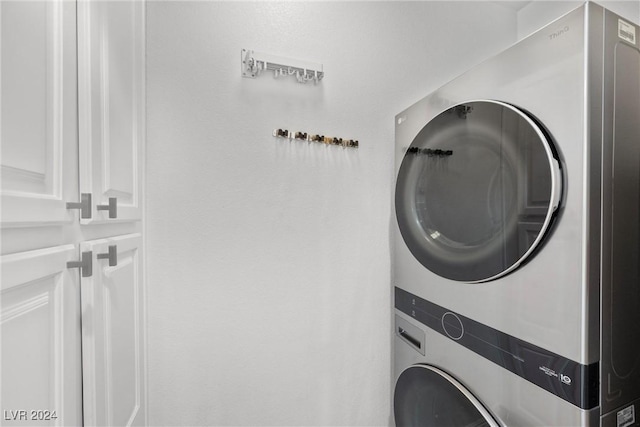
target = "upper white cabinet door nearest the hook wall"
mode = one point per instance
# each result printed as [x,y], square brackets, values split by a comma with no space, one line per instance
[111,77]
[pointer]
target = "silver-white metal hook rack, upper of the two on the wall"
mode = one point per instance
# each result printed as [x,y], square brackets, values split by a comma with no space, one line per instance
[252,64]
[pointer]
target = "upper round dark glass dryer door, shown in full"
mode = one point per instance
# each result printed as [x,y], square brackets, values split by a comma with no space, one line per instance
[477,191]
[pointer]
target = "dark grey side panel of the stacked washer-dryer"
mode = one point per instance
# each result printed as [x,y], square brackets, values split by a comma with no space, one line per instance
[620,293]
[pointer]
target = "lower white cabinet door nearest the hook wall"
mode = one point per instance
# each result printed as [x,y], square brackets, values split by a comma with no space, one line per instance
[113,334]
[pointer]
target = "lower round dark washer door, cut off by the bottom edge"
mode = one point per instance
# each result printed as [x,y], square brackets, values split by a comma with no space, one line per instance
[426,396]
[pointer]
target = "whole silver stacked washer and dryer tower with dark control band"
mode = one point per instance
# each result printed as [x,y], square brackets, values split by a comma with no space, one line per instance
[517,249]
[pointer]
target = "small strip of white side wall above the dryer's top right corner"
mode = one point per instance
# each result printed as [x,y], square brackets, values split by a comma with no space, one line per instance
[539,13]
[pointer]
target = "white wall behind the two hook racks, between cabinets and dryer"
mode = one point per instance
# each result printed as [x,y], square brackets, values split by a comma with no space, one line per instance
[268,261]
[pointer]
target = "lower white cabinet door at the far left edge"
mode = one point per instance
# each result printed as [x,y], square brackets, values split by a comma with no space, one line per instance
[40,338]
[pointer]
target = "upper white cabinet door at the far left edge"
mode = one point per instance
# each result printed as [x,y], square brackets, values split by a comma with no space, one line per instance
[38,119]
